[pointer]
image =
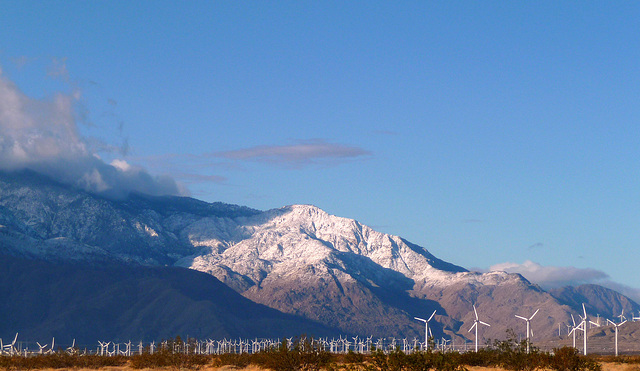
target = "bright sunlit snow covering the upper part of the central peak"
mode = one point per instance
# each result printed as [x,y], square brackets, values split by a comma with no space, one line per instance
[298,235]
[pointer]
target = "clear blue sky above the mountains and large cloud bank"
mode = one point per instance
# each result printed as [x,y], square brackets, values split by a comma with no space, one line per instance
[487,132]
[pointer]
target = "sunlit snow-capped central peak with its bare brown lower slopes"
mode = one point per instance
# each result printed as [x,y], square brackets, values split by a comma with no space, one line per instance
[302,260]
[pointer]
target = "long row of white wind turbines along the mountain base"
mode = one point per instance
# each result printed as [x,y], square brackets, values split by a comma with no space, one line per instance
[18,347]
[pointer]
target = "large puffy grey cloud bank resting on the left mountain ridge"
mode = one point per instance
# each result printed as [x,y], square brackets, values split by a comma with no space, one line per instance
[43,136]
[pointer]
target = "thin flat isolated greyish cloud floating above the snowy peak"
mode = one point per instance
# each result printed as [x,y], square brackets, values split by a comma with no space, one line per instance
[298,154]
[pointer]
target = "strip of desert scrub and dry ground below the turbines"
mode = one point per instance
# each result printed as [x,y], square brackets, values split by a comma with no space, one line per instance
[305,355]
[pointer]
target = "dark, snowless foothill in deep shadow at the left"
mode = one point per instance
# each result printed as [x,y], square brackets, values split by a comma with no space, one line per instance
[86,302]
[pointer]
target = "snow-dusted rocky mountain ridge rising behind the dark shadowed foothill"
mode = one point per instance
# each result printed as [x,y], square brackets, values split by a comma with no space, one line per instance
[297,259]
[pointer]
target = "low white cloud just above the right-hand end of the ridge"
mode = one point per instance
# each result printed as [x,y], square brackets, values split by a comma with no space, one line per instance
[550,276]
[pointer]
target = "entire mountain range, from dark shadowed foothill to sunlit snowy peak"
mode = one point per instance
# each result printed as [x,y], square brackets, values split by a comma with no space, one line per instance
[292,270]
